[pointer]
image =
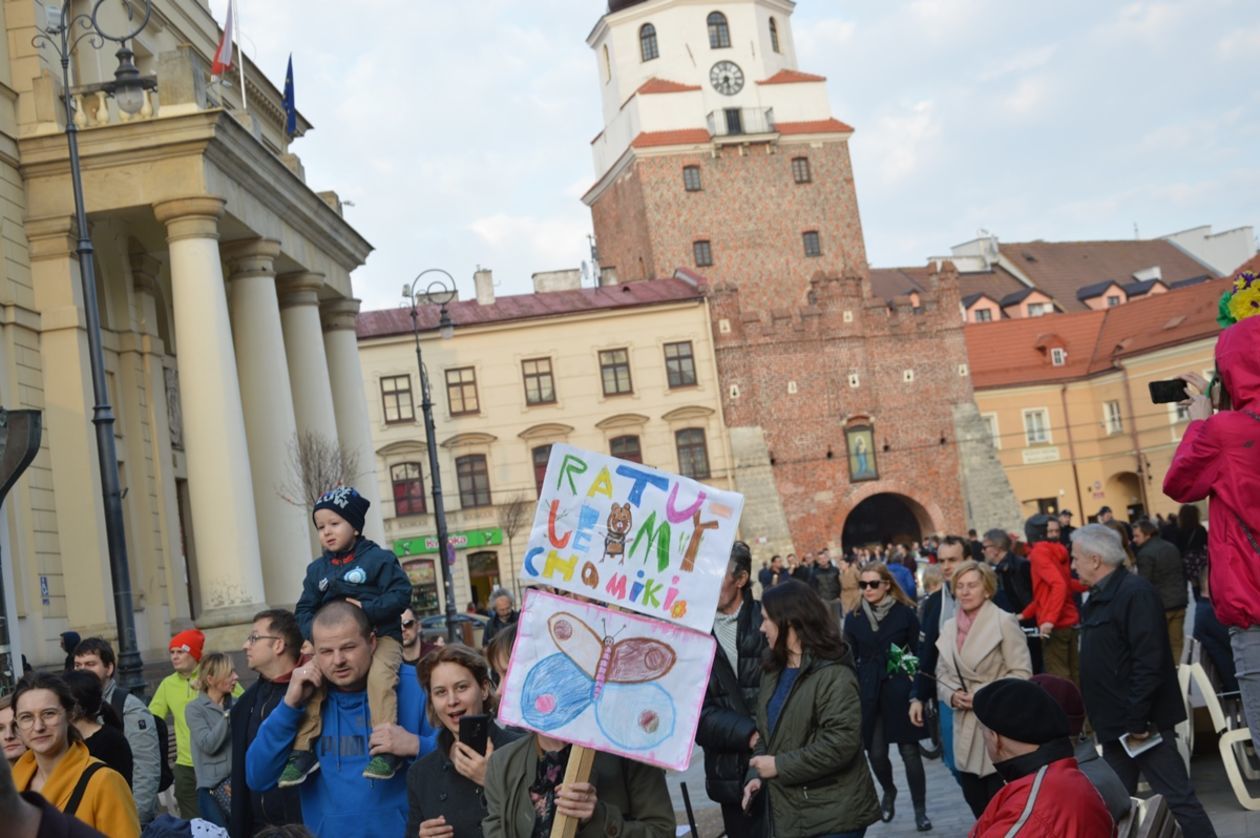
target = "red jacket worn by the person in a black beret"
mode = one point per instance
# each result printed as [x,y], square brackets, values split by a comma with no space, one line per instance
[1068,806]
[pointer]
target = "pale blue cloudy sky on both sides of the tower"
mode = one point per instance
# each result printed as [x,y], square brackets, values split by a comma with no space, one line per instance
[461,130]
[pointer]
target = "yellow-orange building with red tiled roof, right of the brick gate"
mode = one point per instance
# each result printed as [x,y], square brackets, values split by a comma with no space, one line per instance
[1068,405]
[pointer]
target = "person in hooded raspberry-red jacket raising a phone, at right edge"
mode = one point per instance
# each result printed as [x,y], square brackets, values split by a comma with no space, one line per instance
[1219,458]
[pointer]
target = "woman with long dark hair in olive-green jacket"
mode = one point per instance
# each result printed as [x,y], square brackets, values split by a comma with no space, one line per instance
[810,753]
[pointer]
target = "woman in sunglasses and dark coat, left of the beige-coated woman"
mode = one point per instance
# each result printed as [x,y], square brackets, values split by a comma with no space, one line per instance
[884,633]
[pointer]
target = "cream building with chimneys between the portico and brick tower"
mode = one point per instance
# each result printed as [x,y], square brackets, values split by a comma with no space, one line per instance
[626,370]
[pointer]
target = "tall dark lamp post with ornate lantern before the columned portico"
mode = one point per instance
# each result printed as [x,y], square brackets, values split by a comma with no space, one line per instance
[64,35]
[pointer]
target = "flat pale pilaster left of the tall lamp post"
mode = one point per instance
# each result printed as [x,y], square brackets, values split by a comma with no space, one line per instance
[74,561]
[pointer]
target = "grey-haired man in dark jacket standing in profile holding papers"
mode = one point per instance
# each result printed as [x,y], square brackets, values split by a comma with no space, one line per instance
[1128,679]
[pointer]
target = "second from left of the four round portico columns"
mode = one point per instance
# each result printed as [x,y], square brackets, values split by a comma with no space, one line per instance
[270,425]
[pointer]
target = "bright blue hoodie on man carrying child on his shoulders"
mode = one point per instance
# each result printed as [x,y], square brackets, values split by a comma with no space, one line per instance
[338,801]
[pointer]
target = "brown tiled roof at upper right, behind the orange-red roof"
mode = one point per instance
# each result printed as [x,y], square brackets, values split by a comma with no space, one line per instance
[1062,269]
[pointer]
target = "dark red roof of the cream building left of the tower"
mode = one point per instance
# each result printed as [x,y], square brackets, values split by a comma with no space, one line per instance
[529,307]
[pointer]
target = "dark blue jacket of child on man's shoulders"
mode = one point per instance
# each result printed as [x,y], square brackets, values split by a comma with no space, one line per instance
[372,577]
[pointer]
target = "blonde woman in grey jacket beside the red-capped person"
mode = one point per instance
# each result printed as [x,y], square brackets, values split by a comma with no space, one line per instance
[210,730]
